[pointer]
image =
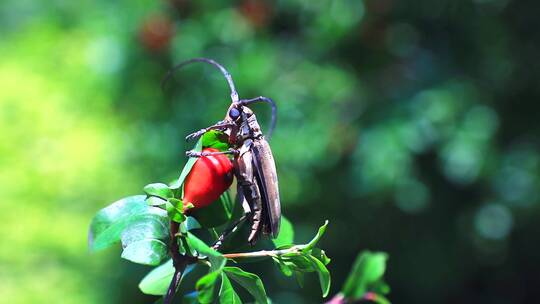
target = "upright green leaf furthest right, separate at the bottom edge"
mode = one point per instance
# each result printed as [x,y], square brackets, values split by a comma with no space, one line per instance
[368,270]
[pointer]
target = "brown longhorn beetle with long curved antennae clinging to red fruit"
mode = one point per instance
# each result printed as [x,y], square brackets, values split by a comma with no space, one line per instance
[254,165]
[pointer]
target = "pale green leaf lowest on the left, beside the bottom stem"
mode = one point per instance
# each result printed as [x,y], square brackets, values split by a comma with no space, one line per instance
[157,281]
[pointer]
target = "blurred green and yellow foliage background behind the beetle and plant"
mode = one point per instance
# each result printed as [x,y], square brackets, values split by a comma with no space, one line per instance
[412,126]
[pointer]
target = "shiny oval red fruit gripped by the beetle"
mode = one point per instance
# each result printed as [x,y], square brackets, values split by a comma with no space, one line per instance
[208,179]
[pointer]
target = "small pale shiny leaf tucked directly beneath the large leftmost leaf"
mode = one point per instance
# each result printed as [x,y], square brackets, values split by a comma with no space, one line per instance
[146,252]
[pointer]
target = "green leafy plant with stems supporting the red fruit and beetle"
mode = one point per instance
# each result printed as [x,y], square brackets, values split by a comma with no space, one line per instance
[155,230]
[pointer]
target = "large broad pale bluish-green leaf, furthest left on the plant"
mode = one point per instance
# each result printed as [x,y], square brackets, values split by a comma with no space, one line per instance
[109,223]
